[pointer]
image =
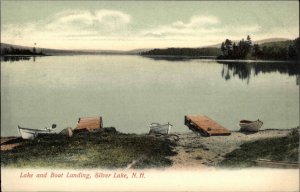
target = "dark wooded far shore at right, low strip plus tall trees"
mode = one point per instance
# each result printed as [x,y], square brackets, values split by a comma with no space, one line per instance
[242,50]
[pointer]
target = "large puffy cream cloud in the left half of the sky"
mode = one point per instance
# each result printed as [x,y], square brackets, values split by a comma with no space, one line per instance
[70,25]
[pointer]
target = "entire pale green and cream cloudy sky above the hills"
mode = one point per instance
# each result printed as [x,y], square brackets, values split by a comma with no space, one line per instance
[128,25]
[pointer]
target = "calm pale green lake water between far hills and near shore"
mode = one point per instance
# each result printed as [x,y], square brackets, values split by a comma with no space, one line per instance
[130,92]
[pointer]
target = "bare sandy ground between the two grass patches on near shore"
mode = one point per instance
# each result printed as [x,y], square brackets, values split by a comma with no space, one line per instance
[195,151]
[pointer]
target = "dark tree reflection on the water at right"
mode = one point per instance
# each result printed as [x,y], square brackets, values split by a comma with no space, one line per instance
[244,70]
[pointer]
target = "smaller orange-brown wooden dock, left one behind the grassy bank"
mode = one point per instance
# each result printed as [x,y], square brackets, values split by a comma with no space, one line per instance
[90,124]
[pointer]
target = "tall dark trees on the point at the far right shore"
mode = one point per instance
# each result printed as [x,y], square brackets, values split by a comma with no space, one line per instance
[245,49]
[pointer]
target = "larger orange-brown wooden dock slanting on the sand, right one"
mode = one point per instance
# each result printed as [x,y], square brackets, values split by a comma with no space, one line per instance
[205,126]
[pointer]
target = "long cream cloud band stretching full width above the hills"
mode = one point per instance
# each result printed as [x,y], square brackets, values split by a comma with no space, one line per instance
[113,29]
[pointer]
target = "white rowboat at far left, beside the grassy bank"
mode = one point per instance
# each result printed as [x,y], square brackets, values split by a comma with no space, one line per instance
[29,133]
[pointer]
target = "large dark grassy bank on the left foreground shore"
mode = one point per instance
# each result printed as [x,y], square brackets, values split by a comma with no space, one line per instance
[90,150]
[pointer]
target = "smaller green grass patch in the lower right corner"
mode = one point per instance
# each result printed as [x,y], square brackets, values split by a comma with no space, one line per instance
[274,149]
